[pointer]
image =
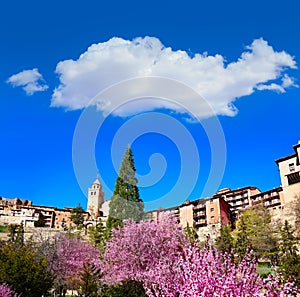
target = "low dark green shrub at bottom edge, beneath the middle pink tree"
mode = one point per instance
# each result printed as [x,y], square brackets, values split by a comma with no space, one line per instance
[127,288]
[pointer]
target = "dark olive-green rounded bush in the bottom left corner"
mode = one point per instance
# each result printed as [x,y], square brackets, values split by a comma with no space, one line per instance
[24,272]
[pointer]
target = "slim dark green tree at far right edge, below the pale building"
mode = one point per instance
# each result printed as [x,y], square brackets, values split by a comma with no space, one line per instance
[290,259]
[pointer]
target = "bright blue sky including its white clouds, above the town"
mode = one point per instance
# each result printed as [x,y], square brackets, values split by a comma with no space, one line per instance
[242,61]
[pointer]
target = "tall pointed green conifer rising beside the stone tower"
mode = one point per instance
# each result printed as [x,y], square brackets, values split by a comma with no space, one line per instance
[125,203]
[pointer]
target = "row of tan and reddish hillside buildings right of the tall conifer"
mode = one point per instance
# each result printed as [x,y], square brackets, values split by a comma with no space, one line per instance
[206,215]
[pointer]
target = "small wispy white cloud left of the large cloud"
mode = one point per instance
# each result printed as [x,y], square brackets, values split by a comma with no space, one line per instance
[31,81]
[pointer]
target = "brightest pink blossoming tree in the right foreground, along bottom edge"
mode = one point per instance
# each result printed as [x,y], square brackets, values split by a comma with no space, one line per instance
[208,273]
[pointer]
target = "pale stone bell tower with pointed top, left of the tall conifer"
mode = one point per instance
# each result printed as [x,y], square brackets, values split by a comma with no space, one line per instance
[95,199]
